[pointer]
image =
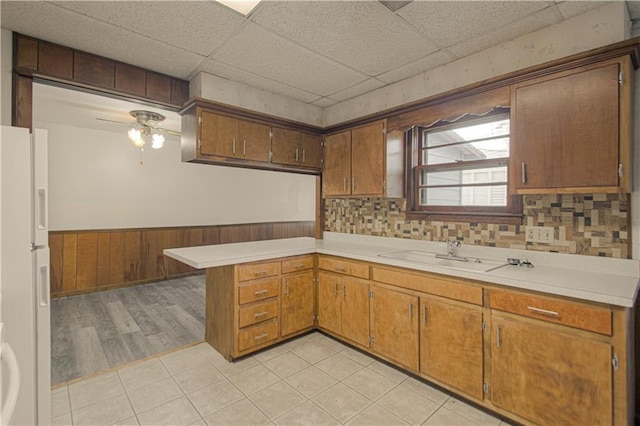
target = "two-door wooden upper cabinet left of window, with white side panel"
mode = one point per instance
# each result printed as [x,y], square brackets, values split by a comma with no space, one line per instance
[363,161]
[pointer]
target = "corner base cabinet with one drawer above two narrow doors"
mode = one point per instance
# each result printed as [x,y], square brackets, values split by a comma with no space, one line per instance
[343,299]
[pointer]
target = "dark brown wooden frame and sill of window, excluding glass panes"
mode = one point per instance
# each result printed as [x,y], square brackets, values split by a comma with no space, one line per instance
[415,139]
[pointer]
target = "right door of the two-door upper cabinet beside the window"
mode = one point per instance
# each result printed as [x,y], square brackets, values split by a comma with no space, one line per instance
[367,160]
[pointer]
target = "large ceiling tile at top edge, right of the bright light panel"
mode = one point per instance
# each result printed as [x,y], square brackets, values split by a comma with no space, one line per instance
[363,35]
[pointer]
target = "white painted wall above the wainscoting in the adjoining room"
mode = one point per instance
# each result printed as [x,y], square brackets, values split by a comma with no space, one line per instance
[97,182]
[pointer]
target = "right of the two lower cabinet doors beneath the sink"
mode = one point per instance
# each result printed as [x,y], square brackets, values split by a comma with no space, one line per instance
[451,344]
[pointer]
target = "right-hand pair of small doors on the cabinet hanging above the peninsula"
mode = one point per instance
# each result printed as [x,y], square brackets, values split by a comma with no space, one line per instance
[295,148]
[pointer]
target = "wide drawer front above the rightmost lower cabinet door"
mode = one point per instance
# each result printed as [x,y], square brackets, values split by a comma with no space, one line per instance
[576,315]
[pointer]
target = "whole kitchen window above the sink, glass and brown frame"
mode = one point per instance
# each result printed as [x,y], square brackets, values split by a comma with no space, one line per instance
[461,168]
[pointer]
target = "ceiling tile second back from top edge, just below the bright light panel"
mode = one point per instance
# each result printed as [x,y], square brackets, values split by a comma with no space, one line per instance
[260,52]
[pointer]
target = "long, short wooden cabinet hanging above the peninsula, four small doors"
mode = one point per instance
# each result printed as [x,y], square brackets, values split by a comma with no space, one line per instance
[211,136]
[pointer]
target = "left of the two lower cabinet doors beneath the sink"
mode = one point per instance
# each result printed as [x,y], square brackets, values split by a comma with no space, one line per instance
[394,326]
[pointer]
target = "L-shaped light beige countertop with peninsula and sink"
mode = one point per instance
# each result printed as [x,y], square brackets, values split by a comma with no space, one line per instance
[604,280]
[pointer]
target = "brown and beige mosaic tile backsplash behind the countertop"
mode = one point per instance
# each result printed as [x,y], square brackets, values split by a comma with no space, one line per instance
[593,225]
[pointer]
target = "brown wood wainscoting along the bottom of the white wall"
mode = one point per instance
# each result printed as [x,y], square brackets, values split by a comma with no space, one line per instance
[91,260]
